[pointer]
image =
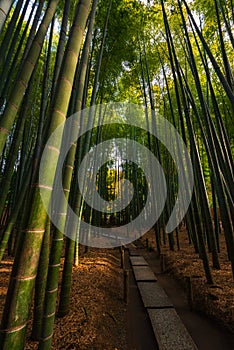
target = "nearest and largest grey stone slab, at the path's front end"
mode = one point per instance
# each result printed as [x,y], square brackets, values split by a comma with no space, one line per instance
[169,330]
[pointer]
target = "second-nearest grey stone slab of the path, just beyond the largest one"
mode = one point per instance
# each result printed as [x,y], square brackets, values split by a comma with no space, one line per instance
[153,295]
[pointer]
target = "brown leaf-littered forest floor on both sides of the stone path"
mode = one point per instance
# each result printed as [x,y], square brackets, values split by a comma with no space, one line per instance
[98,319]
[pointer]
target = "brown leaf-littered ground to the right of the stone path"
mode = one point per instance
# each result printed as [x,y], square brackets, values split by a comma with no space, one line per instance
[217,300]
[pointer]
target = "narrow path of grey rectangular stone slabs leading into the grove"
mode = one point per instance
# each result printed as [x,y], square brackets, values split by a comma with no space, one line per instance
[168,328]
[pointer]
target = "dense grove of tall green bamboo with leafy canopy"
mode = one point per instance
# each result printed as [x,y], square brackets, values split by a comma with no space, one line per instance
[174,57]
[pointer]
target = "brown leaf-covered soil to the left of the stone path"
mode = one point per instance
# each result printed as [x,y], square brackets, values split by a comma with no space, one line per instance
[97,318]
